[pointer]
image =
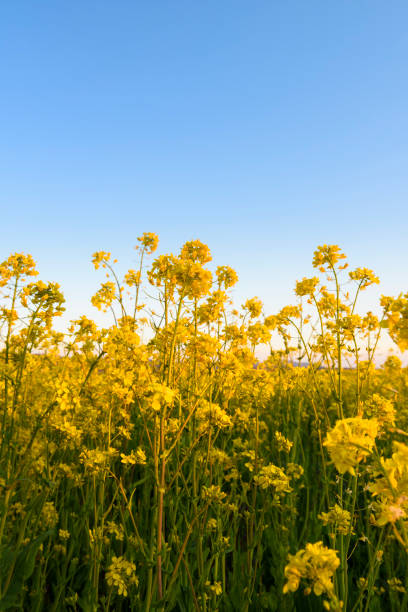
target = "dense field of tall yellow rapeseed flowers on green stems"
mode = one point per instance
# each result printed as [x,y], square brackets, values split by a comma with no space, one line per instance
[182,473]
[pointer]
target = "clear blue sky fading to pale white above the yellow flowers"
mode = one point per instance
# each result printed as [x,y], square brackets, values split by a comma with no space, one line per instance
[264,128]
